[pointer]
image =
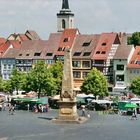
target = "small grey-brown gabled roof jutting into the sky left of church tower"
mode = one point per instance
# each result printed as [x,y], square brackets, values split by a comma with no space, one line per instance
[32,35]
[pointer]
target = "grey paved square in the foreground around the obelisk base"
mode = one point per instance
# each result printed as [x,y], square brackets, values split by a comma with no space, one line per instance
[24,125]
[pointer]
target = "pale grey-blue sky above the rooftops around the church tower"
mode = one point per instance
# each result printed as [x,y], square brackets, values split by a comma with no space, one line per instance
[91,16]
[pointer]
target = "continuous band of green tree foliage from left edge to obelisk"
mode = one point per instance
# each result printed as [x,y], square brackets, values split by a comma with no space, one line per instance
[42,79]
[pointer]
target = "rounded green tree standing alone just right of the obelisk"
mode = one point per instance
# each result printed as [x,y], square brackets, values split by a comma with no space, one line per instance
[95,84]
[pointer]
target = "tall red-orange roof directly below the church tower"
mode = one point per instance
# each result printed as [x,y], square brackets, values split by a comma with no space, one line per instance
[67,39]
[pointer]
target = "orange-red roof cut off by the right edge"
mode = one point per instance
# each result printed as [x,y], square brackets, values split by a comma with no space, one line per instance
[135,60]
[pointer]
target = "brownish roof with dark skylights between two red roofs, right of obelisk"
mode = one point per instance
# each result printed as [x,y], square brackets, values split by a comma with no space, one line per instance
[84,44]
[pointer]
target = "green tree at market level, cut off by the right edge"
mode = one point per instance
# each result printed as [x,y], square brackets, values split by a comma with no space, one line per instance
[135,86]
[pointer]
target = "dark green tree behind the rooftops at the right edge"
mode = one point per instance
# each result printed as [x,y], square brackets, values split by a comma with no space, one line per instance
[135,39]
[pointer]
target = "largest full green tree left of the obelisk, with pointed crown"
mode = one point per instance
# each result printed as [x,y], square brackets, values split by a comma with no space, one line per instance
[40,79]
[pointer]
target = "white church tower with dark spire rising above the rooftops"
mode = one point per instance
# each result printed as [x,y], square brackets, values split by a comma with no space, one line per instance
[65,18]
